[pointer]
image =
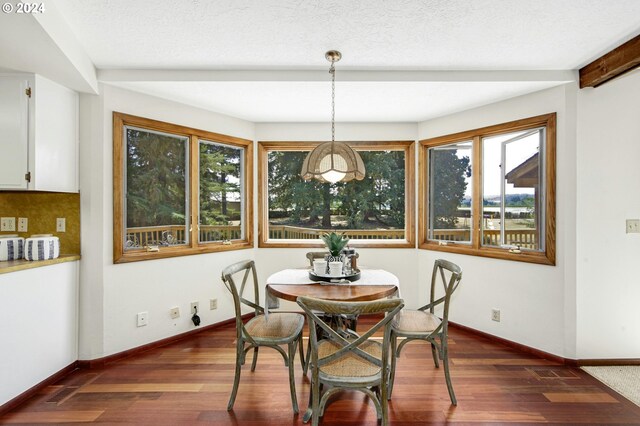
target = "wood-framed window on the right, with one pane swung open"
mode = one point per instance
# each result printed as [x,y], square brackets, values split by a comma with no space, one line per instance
[490,191]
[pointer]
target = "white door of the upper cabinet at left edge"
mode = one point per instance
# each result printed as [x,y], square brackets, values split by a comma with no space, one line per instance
[14,137]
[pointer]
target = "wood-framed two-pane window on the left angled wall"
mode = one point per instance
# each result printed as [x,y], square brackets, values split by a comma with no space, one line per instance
[168,178]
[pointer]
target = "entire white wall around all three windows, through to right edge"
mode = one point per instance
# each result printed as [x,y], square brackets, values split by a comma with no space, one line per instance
[542,306]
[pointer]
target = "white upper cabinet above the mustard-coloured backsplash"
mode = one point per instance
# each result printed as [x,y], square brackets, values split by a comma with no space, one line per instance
[38,134]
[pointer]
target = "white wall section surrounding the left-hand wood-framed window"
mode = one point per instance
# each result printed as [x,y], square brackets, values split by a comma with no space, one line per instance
[111,294]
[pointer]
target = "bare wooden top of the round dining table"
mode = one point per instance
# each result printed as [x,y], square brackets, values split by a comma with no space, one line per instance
[337,292]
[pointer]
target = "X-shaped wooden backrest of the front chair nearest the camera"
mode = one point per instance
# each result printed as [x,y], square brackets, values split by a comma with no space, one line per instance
[312,306]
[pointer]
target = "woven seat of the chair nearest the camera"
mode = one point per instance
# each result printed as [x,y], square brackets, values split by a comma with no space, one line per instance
[350,365]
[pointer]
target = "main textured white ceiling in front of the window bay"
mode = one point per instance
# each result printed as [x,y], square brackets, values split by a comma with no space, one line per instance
[434,34]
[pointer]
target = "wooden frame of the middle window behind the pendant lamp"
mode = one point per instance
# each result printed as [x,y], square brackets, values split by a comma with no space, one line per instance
[408,147]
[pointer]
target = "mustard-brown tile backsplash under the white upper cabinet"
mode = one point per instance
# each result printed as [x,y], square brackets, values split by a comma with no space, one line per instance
[42,209]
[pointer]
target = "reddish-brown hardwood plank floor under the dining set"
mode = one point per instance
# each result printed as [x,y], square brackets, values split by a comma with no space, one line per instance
[188,382]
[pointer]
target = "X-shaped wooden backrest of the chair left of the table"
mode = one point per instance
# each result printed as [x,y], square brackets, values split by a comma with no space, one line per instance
[247,269]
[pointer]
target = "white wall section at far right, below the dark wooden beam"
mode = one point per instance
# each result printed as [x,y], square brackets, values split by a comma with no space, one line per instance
[609,192]
